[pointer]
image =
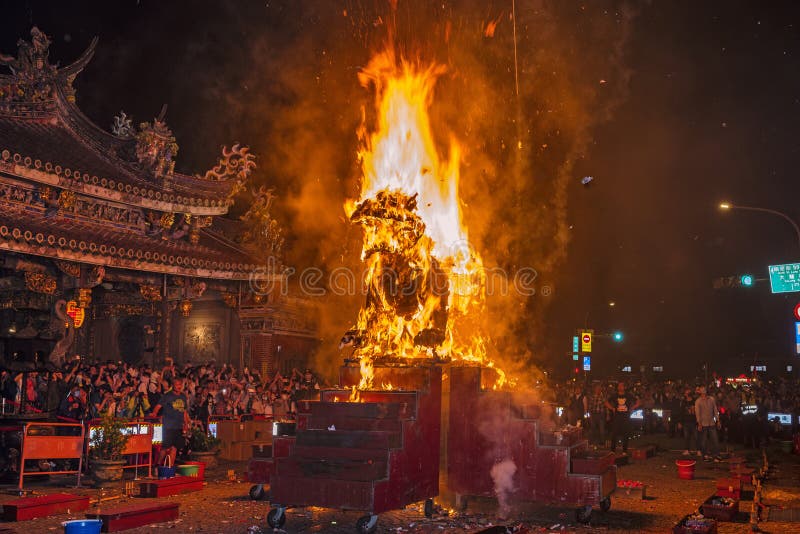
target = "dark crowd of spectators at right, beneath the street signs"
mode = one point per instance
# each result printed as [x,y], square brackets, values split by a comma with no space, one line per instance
[703,415]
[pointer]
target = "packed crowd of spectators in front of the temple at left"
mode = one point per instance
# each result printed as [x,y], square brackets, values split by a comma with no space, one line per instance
[82,390]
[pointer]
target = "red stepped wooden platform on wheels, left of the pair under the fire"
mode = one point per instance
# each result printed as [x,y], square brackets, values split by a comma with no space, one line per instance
[376,455]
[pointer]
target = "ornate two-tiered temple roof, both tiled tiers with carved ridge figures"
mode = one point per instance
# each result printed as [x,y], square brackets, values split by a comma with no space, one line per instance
[70,190]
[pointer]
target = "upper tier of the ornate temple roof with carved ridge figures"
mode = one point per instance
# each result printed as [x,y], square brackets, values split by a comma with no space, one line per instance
[45,138]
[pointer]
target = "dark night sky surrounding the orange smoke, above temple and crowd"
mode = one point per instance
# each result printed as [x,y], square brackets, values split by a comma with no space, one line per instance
[711,113]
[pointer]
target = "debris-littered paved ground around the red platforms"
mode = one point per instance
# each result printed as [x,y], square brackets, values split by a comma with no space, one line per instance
[224,506]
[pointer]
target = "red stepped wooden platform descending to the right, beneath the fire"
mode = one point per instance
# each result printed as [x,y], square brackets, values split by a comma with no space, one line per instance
[485,427]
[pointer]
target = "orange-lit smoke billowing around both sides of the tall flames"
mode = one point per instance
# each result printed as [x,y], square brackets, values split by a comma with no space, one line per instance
[282,77]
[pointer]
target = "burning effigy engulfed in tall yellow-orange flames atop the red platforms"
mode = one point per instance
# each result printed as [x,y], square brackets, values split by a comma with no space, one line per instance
[425,283]
